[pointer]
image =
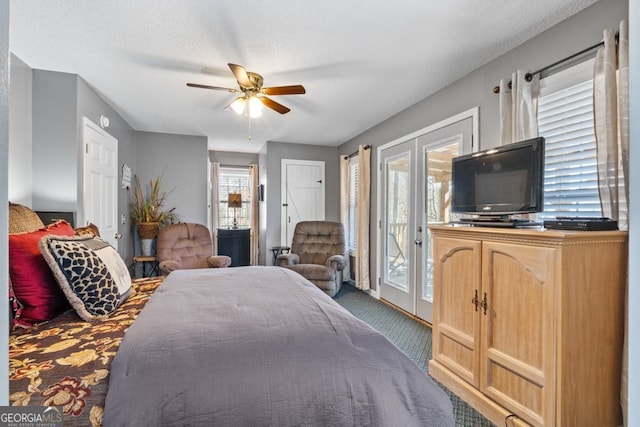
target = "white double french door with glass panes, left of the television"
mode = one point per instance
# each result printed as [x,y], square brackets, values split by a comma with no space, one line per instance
[415,193]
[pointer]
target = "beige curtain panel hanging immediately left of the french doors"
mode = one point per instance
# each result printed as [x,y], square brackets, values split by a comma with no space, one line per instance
[362,221]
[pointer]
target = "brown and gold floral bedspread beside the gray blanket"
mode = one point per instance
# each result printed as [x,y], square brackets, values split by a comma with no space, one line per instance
[66,361]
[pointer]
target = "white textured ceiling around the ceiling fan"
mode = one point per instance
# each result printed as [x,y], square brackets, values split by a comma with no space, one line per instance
[361,61]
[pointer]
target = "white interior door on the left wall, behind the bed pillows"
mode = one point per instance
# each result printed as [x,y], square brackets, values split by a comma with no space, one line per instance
[100,181]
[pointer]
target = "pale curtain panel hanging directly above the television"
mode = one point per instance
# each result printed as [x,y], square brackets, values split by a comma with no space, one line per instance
[518,108]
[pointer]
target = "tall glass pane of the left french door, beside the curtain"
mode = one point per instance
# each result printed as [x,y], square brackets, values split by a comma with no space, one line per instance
[397,217]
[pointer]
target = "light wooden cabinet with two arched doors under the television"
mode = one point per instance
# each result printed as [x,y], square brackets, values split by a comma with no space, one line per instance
[530,323]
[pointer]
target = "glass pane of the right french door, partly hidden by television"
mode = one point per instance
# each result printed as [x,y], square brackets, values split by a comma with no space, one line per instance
[437,203]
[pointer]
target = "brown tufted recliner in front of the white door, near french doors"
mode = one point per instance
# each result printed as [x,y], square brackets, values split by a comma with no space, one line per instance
[317,253]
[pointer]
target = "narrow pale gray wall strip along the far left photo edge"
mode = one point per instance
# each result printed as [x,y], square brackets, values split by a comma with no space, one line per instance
[4,194]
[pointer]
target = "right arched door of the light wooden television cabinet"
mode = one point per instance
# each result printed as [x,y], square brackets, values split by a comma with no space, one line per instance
[518,329]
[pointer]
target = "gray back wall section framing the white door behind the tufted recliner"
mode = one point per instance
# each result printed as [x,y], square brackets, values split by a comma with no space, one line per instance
[275,152]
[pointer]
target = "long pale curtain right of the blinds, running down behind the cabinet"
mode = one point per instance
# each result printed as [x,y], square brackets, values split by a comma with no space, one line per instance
[611,123]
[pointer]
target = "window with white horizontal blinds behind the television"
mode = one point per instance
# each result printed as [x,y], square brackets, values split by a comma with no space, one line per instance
[565,120]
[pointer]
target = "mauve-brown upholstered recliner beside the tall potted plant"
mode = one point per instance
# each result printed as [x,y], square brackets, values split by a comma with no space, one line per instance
[187,245]
